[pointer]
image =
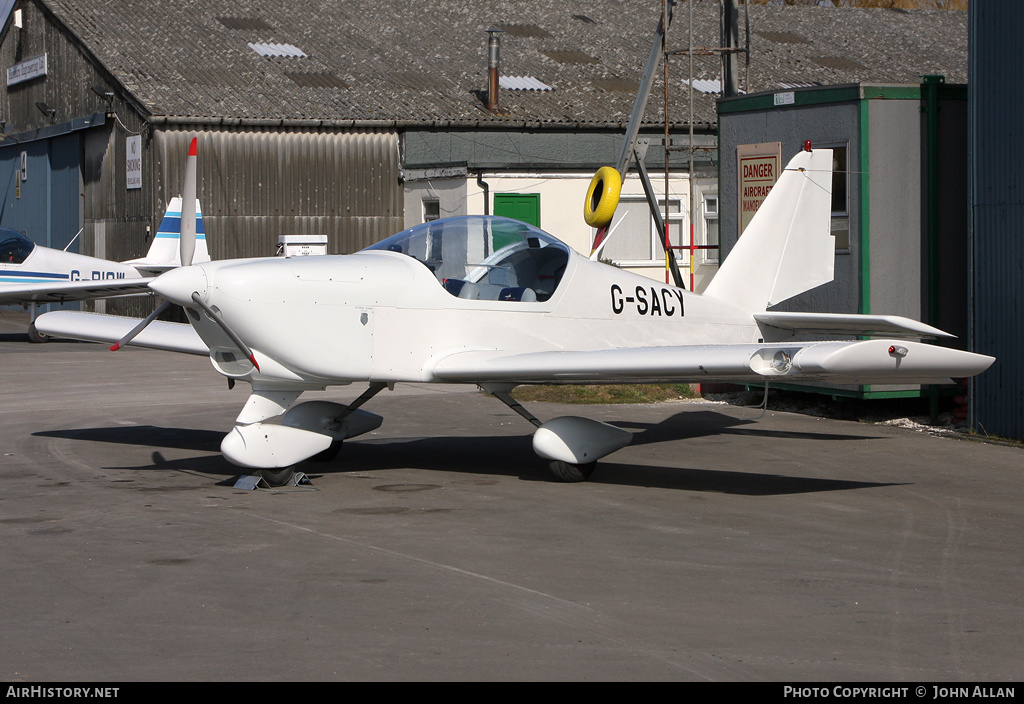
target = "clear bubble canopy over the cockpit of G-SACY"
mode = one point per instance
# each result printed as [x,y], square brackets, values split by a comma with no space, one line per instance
[484,257]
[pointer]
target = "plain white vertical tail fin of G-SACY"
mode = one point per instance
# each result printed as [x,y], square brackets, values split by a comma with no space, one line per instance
[788,247]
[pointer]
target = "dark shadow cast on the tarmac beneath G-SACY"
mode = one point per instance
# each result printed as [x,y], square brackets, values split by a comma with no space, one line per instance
[513,456]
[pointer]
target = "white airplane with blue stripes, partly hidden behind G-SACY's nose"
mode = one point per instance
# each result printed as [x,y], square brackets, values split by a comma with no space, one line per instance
[31,275]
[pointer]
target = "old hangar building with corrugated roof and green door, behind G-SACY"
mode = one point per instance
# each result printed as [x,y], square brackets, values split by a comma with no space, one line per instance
[356,120]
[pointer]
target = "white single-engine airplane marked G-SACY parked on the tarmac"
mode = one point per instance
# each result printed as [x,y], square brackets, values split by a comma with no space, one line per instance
[498,303]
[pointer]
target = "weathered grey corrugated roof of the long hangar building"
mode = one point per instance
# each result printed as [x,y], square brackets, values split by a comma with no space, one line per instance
[154,49]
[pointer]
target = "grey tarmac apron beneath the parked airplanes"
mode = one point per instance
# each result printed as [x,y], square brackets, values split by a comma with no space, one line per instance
[720,546]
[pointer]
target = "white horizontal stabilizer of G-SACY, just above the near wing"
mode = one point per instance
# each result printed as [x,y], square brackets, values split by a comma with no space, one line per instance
[838,324]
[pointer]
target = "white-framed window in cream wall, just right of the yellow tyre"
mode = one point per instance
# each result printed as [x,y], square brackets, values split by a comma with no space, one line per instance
[635,240]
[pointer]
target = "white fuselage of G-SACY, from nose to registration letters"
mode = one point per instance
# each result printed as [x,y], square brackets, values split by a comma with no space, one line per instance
[383,317]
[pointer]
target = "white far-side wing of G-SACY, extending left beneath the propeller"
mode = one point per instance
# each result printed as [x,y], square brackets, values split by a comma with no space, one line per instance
[159,335]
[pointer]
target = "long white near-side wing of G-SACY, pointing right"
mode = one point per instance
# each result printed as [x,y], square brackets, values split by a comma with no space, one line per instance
[869,362]
